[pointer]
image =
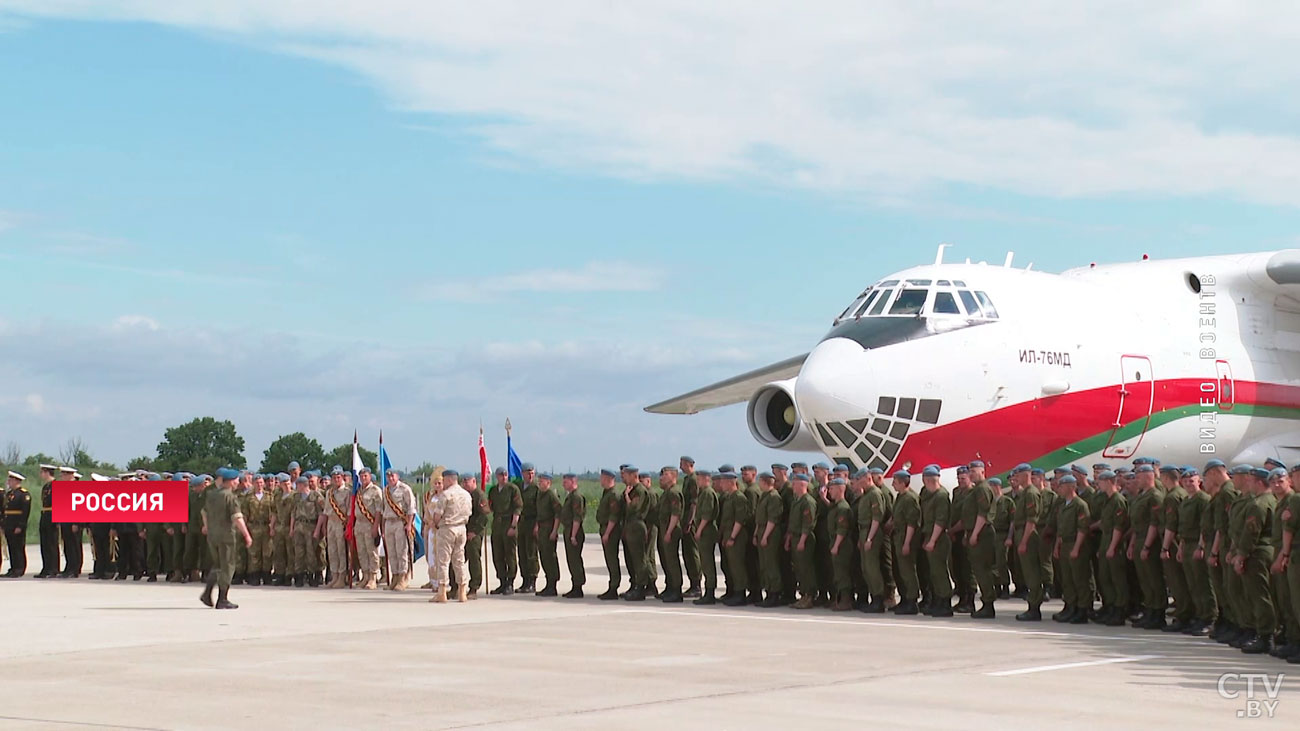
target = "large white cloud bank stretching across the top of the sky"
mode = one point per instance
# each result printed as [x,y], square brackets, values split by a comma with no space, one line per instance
[1108,98]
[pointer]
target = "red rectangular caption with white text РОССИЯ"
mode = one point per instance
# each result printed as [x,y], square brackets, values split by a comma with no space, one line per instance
[122,503]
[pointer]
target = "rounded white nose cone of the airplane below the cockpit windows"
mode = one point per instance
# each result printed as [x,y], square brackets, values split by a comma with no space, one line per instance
[833,380]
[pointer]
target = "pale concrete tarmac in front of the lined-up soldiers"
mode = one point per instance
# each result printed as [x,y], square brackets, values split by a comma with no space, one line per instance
[125,655]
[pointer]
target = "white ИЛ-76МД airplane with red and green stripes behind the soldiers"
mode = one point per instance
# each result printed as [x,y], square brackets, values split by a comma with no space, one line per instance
[1185,360]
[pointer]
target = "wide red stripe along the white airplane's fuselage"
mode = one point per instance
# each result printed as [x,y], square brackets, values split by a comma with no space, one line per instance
[1025,431]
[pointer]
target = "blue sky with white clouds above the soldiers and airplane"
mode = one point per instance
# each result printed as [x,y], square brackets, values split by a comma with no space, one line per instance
[418,219]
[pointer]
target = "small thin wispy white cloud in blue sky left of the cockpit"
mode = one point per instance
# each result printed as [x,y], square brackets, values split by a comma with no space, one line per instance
[596,276]
